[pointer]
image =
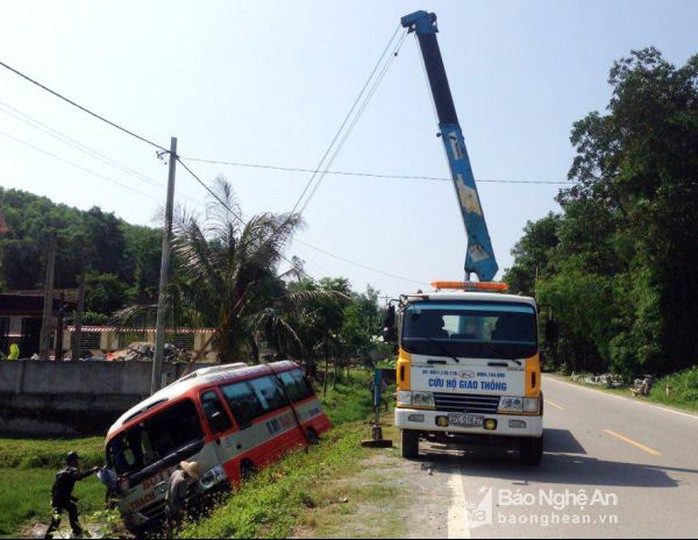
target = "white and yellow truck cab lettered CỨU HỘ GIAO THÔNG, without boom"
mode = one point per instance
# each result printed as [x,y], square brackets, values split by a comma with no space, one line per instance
[468,369]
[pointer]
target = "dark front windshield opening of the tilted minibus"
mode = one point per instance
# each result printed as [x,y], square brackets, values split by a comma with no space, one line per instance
[167,435]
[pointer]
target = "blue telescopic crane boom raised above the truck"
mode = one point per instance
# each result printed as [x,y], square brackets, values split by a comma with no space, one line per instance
[480,258]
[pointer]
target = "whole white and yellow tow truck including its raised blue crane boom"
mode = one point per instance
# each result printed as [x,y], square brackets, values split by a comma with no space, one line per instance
[468,366]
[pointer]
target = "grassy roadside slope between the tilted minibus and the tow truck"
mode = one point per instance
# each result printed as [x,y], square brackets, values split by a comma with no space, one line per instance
[277,501]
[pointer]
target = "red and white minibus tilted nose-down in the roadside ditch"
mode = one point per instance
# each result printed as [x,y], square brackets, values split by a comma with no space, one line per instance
[231,419]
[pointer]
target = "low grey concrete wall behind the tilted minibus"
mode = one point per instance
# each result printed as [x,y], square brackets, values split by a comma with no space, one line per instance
[48,398]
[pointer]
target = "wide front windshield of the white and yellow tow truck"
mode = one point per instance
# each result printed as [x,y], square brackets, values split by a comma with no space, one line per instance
[470,329]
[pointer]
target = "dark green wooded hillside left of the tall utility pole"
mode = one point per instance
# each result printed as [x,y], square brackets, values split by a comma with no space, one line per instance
[108,244]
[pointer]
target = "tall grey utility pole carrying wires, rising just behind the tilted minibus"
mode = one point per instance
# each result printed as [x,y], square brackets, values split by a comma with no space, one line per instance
[156,377]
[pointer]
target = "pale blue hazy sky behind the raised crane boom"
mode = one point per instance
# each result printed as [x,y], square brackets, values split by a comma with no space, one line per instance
[268,83]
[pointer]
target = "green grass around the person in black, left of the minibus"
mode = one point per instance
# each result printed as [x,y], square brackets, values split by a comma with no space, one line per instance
[28,468]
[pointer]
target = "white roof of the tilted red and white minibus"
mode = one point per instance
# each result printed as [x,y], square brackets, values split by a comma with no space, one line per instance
[199,378]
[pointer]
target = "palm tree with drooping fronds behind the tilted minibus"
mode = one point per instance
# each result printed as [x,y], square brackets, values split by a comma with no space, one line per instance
[226,269]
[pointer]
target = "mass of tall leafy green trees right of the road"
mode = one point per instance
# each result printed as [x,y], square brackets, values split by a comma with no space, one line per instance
[621,276]
